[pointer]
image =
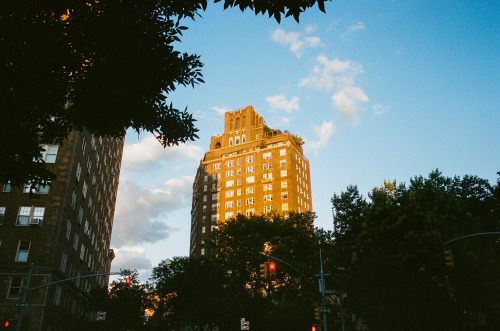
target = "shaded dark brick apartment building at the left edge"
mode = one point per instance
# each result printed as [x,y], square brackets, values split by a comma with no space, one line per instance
[64,230]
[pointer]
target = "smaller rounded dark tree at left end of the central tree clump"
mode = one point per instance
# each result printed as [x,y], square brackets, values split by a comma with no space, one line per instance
[192,292]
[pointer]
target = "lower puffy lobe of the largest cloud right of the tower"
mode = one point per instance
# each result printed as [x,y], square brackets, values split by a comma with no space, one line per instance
[348,101]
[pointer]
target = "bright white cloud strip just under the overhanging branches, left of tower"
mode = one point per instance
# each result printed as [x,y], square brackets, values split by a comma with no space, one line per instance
[149,150]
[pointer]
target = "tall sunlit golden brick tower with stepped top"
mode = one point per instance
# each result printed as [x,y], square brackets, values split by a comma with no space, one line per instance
[249,169]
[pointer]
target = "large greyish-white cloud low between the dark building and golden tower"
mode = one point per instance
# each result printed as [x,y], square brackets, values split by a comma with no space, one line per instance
[141,213]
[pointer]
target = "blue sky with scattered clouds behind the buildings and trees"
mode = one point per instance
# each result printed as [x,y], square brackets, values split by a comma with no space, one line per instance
[379,90]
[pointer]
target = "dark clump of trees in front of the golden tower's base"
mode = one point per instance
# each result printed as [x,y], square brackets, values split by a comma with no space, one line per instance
[223,287]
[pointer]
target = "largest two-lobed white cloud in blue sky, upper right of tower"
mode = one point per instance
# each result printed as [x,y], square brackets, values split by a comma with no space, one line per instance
[338,77]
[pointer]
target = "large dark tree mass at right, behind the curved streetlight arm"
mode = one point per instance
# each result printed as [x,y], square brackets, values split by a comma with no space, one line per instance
[390,253]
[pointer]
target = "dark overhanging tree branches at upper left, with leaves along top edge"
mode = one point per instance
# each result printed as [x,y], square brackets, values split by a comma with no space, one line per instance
[103,66]
